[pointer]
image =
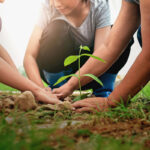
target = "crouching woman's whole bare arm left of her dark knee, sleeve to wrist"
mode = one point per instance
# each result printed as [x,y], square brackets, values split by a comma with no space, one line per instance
[30,63]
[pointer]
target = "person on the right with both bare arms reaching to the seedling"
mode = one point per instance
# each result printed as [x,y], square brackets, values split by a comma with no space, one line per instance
[132,14]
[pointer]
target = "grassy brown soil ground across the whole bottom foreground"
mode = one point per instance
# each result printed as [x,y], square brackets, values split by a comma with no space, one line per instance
[45,127]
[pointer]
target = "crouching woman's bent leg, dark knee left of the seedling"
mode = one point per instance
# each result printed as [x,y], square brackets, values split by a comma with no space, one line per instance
[55,45]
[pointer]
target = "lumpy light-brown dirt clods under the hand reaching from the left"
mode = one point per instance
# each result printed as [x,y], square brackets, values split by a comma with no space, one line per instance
[26,101]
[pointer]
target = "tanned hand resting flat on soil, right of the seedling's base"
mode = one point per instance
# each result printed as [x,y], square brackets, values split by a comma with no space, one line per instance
[92,104]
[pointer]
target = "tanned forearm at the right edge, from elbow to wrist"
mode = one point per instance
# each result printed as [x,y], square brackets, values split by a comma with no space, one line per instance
[134,81]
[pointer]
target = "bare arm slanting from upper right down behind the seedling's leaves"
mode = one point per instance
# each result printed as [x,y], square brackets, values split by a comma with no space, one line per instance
[114,46]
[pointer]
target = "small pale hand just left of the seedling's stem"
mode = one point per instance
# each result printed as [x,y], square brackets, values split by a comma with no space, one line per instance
[63,91]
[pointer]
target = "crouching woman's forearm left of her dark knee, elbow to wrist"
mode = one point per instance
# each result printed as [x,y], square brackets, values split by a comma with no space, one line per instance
[32,70]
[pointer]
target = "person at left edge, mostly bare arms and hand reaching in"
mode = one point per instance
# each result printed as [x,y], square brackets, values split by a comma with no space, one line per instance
[11,76]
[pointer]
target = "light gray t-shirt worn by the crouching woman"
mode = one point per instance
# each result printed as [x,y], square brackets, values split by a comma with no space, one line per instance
[98,17]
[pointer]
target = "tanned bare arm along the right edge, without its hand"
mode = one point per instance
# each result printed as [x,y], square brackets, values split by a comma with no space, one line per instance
[139,74]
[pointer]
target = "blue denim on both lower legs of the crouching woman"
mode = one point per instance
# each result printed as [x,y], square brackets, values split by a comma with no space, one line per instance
[107,79]
